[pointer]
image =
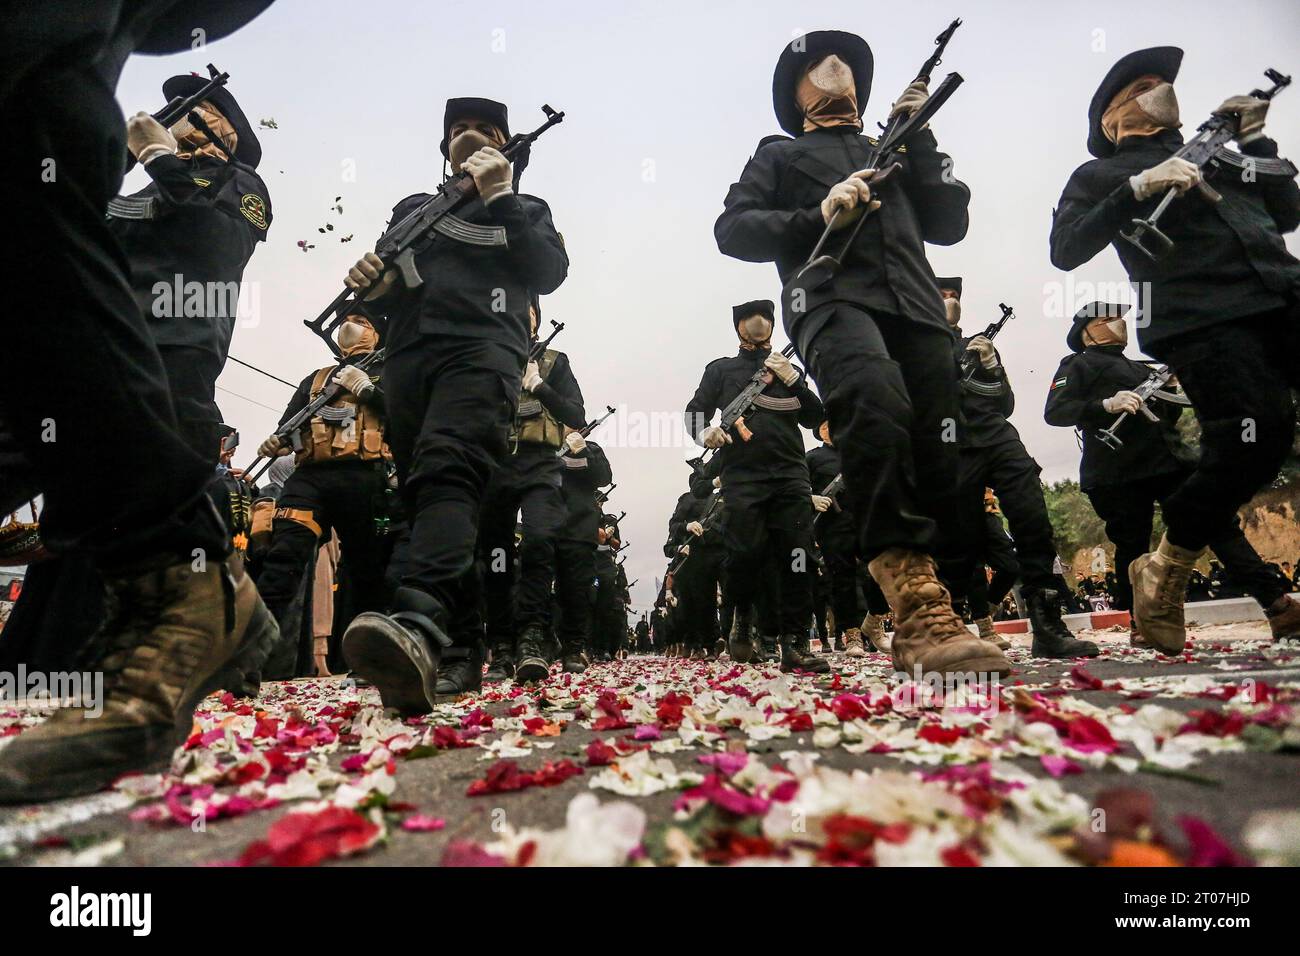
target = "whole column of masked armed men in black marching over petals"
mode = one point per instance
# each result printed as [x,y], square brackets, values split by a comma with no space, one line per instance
[444,471]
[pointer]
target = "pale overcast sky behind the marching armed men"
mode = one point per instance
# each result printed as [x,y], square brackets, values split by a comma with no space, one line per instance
[665,102]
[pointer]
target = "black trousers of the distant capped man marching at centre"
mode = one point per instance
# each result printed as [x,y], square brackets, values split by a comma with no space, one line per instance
[772,522]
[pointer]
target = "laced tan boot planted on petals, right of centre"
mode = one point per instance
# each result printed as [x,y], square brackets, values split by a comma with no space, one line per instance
[929,635]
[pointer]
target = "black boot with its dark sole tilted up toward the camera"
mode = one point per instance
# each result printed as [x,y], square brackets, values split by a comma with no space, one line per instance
[400,652]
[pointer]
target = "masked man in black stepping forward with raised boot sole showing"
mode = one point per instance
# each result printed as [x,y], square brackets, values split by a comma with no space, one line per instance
[456,354]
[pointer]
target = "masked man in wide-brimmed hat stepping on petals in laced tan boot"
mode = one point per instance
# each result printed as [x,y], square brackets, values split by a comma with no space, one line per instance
[874,338]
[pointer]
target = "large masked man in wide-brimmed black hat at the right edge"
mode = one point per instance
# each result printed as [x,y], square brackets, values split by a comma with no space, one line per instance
[1223,310]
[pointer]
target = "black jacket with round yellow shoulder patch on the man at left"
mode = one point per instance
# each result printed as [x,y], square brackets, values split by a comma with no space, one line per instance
[206,218]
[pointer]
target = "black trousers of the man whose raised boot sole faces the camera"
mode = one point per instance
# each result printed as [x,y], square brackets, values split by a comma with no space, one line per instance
[450,403]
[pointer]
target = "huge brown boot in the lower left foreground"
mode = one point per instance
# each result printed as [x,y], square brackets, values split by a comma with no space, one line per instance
[171,638]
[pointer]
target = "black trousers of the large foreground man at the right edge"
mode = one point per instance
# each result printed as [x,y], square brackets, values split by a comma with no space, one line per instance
[1240,378]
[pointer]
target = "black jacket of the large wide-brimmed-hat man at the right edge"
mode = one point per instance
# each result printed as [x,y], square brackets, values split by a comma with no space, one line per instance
[1229,259]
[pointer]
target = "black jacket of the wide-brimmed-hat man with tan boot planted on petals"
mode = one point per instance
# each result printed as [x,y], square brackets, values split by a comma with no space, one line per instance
[774,215]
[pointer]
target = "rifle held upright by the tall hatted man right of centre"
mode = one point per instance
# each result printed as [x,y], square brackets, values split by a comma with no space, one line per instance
[883,159]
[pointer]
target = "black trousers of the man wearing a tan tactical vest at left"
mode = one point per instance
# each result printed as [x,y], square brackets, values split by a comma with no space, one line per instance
[346,498]
